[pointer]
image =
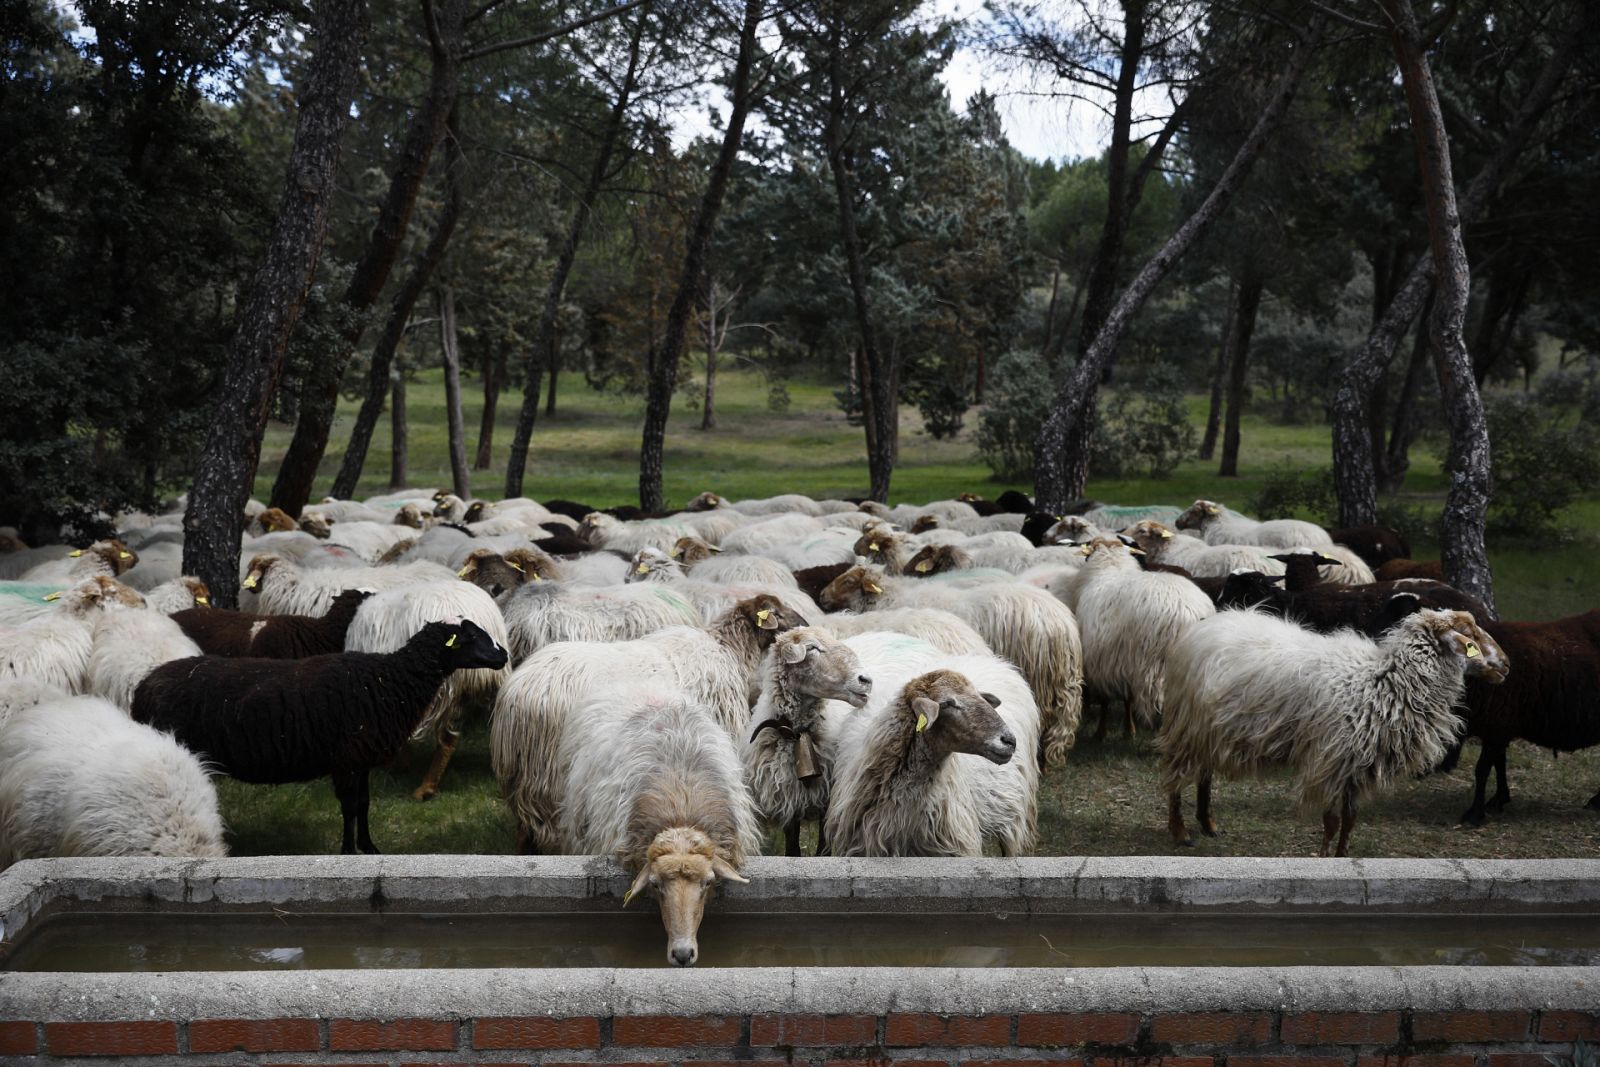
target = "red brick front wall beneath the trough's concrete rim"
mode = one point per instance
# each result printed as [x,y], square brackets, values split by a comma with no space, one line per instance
[1212,1039]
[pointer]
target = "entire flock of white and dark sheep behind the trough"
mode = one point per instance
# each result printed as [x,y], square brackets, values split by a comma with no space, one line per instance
[665,687]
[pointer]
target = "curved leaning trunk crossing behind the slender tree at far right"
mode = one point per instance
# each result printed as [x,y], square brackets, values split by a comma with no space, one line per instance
[1354,468]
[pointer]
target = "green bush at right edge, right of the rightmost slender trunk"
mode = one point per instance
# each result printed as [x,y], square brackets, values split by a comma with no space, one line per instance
[1542,465]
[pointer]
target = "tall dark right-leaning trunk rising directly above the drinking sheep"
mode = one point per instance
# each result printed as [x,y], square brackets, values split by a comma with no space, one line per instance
[665,374]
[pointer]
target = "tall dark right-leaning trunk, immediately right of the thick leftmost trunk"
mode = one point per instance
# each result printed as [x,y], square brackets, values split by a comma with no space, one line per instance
[383,247]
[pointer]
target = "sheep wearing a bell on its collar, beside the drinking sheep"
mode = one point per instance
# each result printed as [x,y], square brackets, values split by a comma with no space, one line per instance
[788,757]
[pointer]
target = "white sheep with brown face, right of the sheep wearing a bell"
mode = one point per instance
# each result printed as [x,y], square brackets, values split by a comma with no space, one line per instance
[908,783]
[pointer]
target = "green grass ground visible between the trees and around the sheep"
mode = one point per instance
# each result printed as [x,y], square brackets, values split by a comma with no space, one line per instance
[1106,801]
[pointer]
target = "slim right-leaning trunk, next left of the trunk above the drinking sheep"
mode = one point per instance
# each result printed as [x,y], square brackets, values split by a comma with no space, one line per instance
[543,350]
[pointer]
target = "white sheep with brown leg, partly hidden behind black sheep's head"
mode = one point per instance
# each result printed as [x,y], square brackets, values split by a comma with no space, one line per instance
[386,621]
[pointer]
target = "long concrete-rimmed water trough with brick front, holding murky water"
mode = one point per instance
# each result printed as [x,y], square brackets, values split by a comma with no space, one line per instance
[478,959]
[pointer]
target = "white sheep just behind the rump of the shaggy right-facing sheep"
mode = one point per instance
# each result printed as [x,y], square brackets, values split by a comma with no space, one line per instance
[1129,620]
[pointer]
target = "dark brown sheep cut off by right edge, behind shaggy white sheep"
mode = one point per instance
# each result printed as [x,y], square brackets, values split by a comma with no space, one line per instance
[1551,700]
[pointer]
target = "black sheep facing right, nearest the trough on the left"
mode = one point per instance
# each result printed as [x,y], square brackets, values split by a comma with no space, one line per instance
[295,721]
